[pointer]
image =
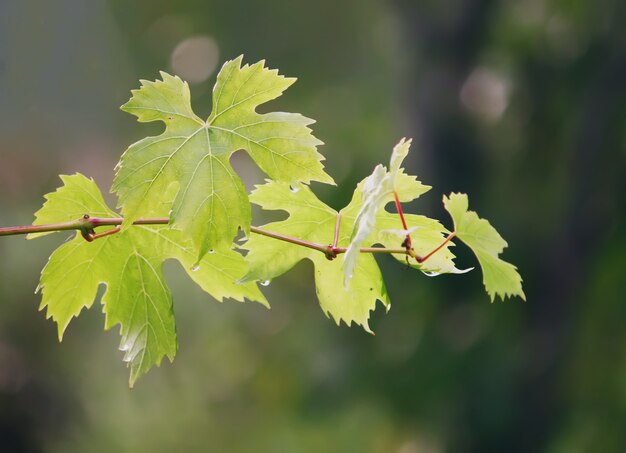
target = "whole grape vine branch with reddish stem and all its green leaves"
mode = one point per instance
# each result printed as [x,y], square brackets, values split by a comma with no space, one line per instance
[179,198]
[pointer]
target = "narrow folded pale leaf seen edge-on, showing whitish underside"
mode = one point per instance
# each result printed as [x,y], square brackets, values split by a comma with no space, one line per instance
[376,191]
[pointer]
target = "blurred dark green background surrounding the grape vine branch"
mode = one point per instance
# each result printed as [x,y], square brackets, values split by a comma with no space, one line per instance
[521,104]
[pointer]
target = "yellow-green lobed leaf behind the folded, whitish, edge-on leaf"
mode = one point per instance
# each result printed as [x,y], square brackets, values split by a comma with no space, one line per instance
[313,221]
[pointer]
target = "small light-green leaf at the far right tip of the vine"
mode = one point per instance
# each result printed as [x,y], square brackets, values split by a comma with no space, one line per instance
[499,277]
